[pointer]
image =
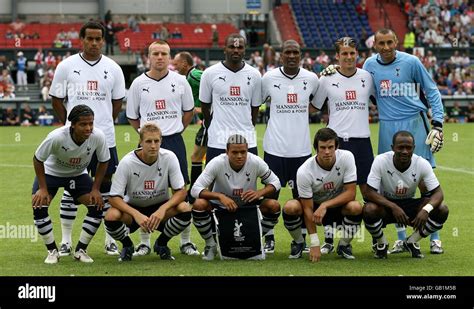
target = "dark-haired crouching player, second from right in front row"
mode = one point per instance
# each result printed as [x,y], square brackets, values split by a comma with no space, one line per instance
[327,190]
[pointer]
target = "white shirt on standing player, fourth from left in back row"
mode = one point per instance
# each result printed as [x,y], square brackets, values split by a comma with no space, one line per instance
[287,133]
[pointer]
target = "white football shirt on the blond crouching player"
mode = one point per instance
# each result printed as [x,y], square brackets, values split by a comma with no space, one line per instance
[143,185]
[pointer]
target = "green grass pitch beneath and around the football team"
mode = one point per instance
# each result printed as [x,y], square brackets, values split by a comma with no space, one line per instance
[24,256]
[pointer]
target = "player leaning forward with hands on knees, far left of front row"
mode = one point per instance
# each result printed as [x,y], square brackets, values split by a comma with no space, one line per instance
[61,161]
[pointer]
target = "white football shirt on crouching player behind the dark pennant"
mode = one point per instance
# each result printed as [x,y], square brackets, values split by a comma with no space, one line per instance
[232,183]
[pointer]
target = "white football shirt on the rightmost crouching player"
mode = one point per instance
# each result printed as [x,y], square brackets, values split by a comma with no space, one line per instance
[393,184]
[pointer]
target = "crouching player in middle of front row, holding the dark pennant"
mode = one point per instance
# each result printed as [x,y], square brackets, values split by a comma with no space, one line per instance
[234,175]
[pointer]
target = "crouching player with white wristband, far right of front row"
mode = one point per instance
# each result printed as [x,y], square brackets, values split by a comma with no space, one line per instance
[392,183]
